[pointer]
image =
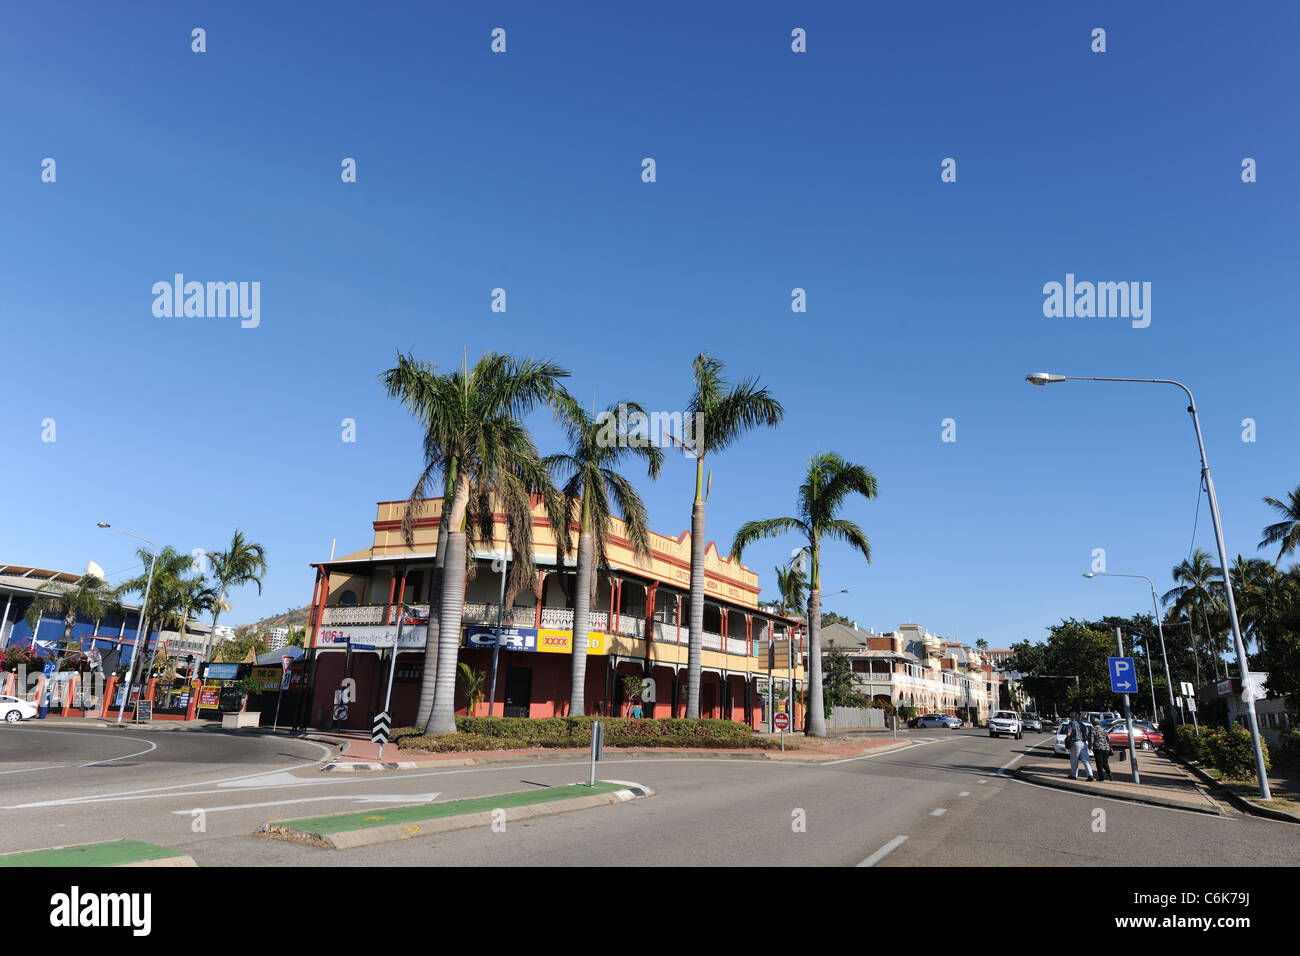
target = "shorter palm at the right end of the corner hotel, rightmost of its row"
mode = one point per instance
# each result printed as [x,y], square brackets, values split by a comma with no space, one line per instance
[829,483]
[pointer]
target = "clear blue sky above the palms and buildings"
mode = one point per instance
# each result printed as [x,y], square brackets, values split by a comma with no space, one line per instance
[774,171]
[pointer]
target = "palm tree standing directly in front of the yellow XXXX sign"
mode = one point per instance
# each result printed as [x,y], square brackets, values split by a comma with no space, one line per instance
[592,485]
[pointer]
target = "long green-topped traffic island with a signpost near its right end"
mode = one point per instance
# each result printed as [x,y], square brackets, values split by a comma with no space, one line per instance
[366,829]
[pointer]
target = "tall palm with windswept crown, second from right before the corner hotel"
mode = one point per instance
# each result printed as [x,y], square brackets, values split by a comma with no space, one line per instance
[718,418]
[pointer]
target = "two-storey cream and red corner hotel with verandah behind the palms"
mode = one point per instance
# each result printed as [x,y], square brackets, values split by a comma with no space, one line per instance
[639,626]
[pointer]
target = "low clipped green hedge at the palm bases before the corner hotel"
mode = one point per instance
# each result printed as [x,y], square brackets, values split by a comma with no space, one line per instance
[521,733]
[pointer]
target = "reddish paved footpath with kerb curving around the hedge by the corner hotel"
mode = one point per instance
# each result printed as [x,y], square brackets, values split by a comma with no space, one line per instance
[361,755]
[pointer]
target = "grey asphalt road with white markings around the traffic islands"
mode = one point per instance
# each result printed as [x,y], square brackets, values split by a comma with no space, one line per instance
[939,803]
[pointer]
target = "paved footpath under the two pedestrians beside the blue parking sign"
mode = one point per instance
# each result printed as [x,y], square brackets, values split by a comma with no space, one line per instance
[1164,782]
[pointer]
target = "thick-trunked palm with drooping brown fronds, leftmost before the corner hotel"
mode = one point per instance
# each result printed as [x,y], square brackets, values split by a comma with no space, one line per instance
[486,460]
